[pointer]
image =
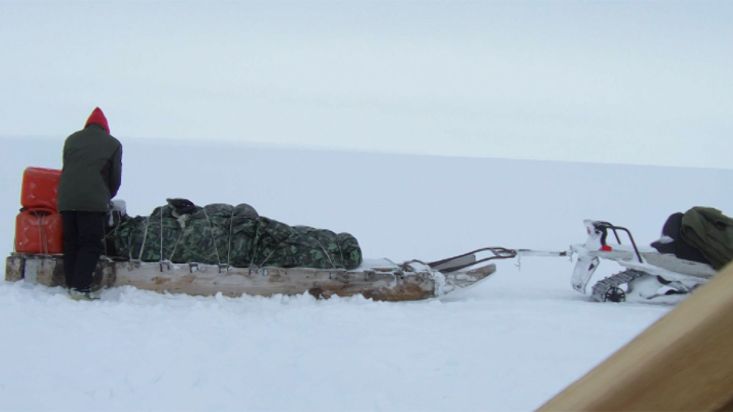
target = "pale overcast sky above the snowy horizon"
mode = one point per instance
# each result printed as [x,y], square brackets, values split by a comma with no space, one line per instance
[629,82]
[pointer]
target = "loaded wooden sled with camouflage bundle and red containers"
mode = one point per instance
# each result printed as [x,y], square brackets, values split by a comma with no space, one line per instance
[204,250]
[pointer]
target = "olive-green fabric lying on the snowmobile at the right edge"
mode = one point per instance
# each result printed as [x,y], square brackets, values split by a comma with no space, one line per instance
[711,232]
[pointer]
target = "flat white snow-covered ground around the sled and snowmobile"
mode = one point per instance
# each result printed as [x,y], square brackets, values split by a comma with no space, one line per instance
[509,343]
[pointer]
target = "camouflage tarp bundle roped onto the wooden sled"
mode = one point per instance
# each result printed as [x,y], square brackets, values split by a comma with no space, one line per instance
[235,235]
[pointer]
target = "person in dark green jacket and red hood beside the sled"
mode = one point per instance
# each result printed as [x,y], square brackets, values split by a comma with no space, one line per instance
[90,178]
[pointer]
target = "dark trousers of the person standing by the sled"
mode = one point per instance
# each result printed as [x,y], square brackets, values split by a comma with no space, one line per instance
[83,237]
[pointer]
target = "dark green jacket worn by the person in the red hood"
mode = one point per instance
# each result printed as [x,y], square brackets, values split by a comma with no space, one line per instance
[92,170]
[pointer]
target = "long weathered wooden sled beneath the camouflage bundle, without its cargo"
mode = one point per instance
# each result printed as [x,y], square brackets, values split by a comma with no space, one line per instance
[376,279]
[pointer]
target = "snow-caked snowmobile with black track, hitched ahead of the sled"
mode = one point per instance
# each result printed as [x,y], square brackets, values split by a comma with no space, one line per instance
[648,276]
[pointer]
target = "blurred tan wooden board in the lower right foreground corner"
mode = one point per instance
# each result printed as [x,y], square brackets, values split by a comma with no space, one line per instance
[683,362]
